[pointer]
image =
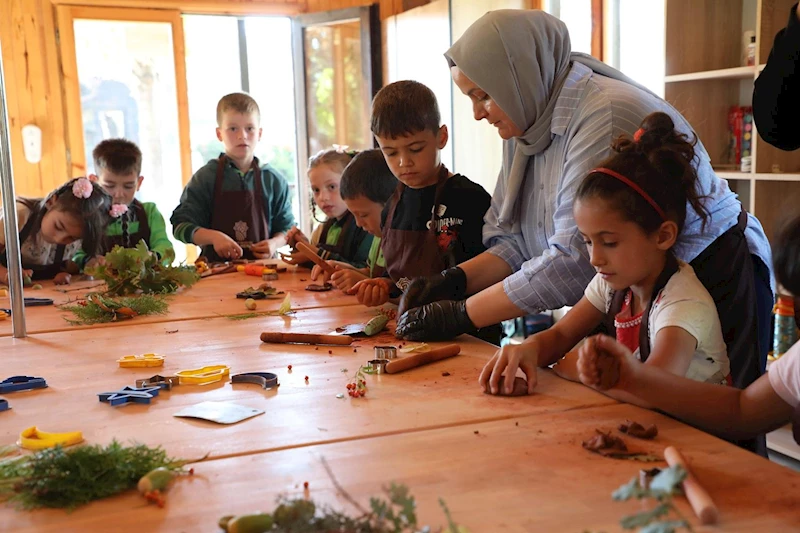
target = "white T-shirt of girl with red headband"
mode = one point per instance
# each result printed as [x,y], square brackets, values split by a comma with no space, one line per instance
[685,303]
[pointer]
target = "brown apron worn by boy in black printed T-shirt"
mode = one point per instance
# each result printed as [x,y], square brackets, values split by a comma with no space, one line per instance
[413,253]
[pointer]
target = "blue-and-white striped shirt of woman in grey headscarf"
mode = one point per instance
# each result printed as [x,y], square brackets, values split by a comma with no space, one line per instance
[548,257]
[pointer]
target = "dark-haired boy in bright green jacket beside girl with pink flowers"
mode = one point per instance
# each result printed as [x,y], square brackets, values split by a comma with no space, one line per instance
[118,164]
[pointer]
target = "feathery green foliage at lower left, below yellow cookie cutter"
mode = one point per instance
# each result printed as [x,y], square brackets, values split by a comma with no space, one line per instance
[66,479]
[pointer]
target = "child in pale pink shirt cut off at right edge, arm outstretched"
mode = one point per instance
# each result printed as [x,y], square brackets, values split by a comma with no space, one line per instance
[768,403]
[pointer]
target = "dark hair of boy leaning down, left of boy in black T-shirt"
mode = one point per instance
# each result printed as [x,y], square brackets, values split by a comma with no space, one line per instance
[368,175]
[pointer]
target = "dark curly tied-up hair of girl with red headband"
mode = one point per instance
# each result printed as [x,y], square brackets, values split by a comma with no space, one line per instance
[659,161]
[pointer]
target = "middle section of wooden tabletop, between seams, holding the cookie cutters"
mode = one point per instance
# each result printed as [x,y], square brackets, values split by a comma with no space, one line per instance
[79,367]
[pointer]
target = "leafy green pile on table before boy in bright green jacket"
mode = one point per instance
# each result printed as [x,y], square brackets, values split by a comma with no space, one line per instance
[137,270]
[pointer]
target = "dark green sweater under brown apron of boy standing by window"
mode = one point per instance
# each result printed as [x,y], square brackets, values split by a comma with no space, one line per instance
[197,201]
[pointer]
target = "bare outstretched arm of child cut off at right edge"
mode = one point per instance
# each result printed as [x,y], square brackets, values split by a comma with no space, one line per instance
[604,363]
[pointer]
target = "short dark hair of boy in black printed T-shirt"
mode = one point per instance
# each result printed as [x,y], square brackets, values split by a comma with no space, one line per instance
[404,108]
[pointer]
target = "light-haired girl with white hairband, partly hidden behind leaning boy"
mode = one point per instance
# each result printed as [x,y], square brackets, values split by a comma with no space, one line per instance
[339,238]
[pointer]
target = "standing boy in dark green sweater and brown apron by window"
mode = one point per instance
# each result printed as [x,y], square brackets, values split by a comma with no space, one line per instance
[233,207]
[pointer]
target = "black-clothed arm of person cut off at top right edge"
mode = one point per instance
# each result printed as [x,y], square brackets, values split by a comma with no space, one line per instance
[776,97]
